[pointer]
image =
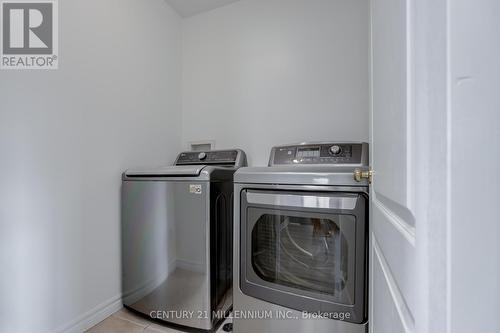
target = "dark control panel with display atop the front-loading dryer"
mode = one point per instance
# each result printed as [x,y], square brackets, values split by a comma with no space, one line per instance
[322,153]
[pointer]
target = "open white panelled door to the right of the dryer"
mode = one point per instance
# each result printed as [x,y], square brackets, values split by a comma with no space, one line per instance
[434,246]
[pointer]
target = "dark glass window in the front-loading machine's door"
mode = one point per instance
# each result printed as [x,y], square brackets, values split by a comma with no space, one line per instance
[306,253]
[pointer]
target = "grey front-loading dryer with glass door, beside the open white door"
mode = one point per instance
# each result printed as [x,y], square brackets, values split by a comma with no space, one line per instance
[301,240]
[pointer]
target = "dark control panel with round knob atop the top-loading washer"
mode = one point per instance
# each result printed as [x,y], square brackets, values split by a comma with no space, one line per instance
[218,157]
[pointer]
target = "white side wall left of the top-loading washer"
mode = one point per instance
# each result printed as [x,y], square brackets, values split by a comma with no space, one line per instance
[65,138]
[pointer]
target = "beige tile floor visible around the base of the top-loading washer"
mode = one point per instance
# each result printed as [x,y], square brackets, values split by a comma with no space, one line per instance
[125,321]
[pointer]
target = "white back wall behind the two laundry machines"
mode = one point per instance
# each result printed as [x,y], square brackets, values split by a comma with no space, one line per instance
[263,72]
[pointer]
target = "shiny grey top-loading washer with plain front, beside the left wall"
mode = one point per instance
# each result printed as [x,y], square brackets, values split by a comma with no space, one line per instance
[177,239]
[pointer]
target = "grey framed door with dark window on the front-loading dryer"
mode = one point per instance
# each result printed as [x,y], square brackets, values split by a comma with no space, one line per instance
[305,251]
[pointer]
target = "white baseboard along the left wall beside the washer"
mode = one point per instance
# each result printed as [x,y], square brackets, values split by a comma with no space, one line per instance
[93,316]
